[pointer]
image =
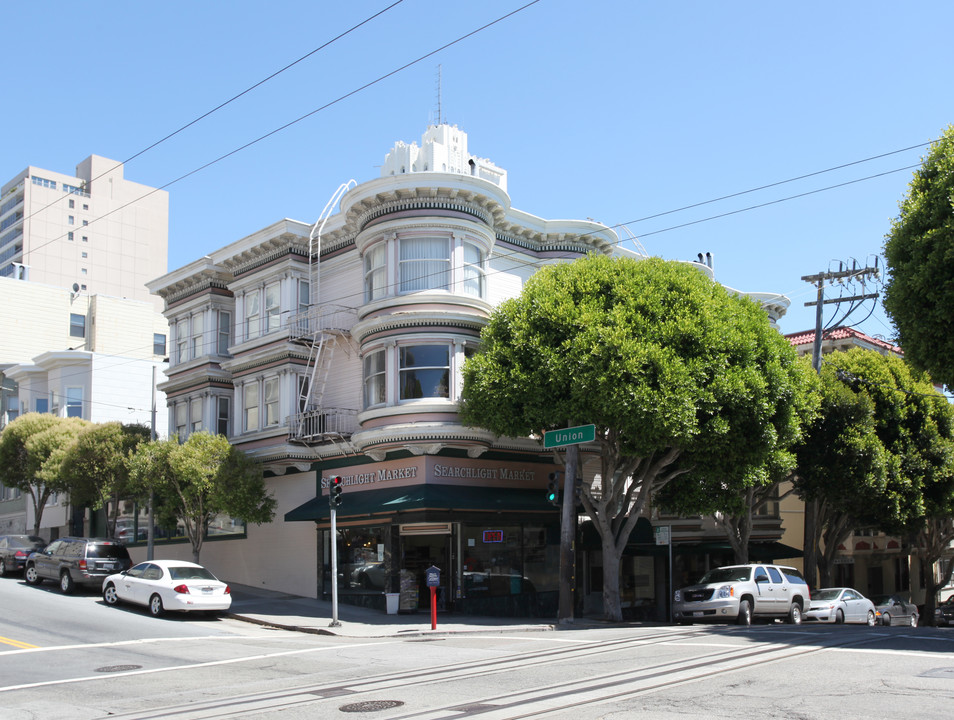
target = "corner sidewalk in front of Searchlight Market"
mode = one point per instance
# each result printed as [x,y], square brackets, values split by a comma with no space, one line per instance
[291,612]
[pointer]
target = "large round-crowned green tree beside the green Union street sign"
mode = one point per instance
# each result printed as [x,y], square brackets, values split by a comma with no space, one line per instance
[684,381]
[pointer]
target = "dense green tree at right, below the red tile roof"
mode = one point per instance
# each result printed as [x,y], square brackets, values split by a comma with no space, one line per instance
[901,480]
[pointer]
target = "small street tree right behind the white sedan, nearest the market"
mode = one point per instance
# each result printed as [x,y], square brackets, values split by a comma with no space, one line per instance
[195,481]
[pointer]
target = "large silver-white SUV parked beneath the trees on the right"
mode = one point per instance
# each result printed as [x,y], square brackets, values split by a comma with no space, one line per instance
[739,593]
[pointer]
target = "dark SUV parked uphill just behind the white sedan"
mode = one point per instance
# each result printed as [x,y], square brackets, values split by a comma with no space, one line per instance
[77,561]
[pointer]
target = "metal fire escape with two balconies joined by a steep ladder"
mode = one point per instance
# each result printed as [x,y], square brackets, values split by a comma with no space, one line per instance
[324,331]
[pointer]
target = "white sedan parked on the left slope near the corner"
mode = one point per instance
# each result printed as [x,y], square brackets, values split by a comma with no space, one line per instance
[164,585]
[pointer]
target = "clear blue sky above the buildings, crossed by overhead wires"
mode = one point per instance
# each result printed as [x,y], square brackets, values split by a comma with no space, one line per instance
[615,111]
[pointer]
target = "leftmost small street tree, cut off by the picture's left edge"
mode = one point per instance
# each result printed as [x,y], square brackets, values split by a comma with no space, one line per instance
[31,449]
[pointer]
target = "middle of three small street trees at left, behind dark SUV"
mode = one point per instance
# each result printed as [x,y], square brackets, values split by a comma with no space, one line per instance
[96,467]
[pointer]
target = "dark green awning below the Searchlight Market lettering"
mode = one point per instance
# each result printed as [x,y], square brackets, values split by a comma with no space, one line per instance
[447,498]
